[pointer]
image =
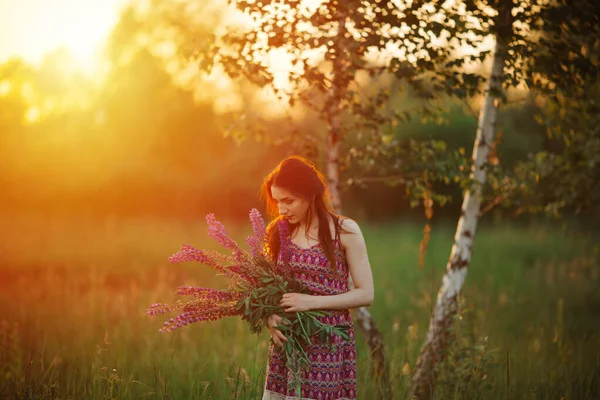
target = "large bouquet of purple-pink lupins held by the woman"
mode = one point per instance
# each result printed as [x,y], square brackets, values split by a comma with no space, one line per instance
[255,287]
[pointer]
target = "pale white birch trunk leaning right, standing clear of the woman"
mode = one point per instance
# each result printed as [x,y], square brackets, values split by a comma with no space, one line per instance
[433,349]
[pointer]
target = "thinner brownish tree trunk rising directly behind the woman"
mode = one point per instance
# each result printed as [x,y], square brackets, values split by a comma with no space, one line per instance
[363,317]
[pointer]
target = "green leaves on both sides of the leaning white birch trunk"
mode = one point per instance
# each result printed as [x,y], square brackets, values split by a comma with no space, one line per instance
[524,177]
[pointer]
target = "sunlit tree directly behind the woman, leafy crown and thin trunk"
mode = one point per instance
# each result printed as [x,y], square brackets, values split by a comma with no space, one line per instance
[330,49]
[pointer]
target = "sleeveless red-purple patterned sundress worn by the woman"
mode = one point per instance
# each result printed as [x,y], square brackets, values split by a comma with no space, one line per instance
[332,372]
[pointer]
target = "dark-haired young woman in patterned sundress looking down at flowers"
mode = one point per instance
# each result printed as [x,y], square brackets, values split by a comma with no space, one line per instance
[324,248]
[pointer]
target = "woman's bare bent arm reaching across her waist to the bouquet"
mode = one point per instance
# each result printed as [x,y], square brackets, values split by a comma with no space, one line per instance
[360,270]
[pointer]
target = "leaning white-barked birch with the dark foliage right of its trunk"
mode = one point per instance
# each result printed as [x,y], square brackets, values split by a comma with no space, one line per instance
[537,44]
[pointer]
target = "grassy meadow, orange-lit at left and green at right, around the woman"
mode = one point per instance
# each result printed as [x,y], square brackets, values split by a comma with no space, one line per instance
[73,295]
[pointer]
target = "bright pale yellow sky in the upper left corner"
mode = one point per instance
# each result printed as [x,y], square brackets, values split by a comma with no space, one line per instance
[31,28]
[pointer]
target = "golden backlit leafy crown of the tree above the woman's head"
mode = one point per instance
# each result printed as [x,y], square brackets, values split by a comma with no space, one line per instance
[333,77]
